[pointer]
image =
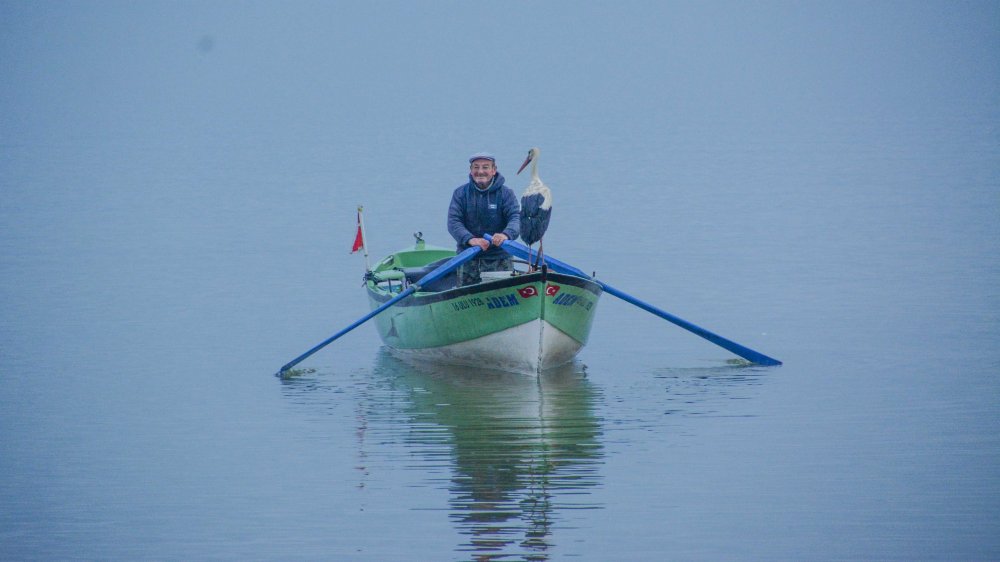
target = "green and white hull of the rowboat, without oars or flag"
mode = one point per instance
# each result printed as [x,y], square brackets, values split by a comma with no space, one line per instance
[519,320]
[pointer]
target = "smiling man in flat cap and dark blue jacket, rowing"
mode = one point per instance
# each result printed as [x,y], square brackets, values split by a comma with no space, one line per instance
[483,205]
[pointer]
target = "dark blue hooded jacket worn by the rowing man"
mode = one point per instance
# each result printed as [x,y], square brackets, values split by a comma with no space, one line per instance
[474,212]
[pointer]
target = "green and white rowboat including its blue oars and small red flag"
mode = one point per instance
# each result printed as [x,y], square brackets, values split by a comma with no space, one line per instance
[523,320]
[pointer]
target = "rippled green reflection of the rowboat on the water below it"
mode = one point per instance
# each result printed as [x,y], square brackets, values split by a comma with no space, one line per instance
[523,449]
